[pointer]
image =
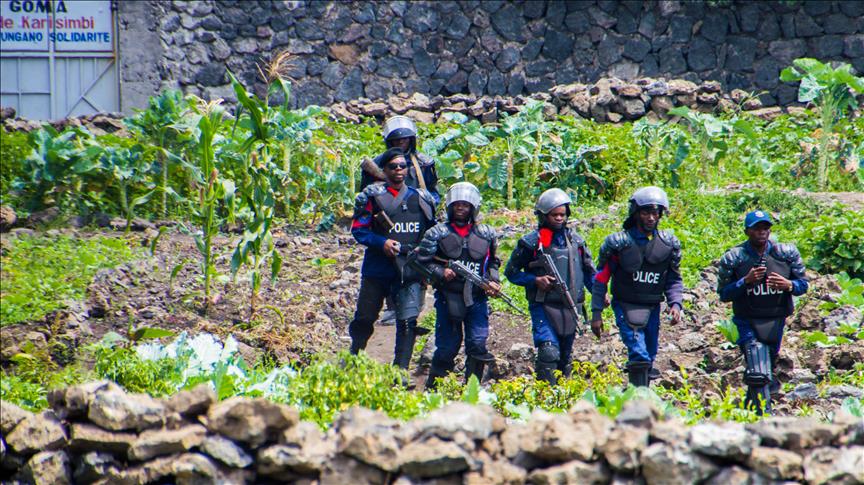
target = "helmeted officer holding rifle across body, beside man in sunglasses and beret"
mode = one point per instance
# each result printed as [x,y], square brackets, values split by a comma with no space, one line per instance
[459,303]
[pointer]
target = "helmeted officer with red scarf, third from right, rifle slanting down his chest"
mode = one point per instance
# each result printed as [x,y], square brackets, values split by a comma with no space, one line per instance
[553,326]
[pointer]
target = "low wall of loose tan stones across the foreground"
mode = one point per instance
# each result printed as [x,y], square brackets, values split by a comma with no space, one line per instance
[96,433]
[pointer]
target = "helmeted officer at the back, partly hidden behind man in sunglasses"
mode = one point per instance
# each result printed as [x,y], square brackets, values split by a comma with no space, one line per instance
[401,132]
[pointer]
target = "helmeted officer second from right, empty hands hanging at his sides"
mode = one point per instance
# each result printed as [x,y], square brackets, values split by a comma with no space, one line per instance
[644,266]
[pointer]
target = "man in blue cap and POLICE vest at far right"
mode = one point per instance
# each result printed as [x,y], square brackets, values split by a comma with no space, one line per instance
[760,278]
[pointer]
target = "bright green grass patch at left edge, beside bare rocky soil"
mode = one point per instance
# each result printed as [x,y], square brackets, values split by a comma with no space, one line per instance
[39,274]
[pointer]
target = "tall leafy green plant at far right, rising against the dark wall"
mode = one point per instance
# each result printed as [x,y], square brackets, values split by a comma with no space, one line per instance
[831,91]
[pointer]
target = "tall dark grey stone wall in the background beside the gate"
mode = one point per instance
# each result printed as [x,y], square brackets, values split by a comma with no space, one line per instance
[349,50]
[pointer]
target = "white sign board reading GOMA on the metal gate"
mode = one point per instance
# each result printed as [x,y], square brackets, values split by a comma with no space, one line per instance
[71,25]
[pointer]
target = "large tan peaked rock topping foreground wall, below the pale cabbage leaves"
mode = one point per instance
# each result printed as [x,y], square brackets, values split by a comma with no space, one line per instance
[252,421]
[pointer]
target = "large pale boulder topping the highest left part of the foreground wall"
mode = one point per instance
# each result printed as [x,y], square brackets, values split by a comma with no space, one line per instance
[115,410]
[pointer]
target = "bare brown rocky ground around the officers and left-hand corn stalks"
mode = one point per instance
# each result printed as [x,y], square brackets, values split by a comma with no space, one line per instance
[308,309]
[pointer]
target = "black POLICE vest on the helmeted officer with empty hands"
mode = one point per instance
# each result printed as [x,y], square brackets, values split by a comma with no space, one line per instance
[642,272]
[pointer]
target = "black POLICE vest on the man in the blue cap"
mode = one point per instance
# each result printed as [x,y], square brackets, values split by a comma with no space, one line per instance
[760,301]
